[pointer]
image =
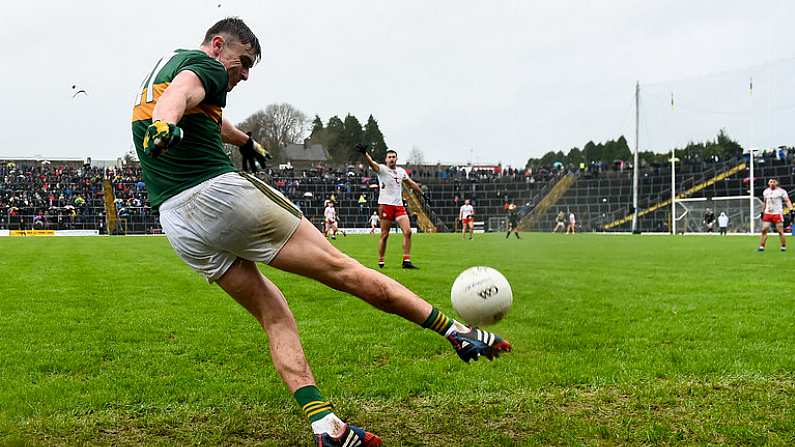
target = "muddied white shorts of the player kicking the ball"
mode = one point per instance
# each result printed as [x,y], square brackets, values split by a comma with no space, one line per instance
[234,215]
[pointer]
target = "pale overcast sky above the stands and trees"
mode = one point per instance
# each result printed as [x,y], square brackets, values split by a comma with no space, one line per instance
[487,81]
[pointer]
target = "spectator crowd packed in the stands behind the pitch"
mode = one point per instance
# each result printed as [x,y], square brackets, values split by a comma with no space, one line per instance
[70,195]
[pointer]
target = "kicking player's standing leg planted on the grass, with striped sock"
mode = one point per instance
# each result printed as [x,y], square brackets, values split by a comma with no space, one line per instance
[244,282]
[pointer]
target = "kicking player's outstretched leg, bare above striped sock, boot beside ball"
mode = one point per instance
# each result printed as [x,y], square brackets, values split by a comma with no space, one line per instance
[337,270]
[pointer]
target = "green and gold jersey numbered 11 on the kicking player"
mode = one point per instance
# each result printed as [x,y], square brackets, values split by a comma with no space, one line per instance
[200,155]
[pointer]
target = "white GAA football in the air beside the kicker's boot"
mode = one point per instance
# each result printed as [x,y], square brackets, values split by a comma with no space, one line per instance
[481,296]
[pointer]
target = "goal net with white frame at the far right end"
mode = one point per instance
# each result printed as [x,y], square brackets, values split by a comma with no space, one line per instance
[690,213]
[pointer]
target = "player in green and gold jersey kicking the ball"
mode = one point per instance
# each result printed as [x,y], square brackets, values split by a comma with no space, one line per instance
[222,222]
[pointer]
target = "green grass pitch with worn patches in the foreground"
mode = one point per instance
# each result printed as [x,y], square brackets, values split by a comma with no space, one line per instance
[617,340]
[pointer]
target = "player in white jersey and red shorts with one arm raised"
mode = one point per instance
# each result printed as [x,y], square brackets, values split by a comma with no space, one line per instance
[391,178]
